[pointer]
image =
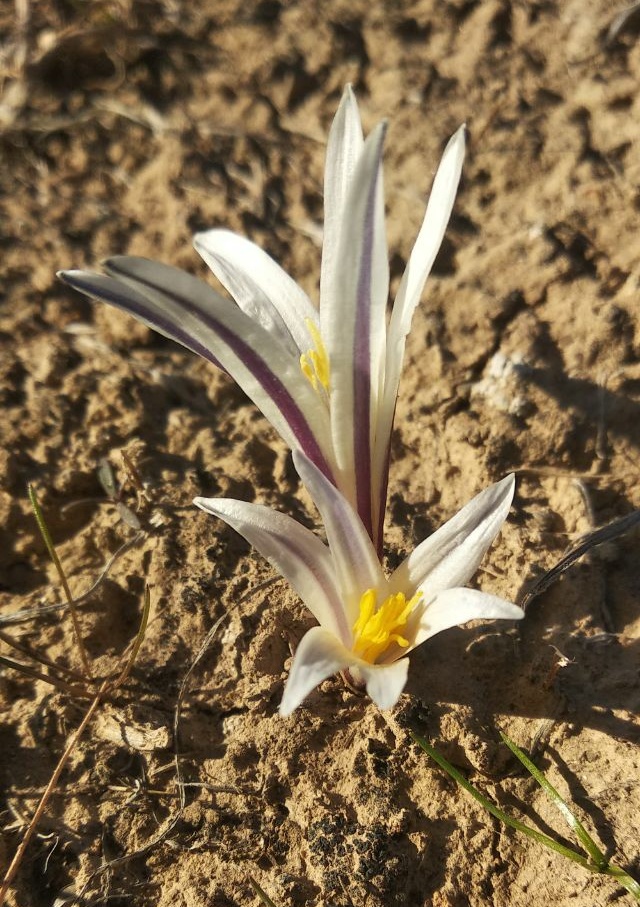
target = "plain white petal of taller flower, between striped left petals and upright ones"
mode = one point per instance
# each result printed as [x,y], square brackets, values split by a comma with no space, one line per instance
[259,286]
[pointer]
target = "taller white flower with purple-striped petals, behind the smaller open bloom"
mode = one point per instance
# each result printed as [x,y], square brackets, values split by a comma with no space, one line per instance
[326,378]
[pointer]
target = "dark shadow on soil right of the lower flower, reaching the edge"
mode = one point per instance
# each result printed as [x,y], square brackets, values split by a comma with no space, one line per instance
[517,672]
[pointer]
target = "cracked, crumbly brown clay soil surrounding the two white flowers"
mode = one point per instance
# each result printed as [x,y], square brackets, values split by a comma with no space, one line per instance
[126,127]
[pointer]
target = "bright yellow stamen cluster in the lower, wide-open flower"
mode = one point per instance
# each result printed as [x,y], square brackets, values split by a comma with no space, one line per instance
[375,629]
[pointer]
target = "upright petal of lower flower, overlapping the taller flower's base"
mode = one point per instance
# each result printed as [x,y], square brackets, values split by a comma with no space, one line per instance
[356,563]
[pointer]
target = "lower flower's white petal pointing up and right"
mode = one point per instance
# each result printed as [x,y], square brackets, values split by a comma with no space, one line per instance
[451,556]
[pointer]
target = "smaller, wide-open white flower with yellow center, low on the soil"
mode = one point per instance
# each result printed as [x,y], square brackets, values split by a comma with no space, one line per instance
[368,622]
